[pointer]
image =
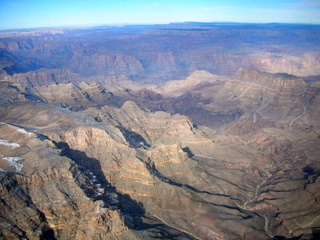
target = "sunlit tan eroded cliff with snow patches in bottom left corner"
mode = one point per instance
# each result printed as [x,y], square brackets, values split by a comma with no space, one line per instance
[45,195]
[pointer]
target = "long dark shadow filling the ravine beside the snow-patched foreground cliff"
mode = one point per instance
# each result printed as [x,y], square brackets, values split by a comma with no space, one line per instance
[131,211]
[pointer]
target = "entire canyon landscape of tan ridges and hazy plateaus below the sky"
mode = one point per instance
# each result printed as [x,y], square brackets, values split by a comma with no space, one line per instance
[178,131]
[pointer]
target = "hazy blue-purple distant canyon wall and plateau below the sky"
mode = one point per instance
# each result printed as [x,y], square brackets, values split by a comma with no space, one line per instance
[161,53]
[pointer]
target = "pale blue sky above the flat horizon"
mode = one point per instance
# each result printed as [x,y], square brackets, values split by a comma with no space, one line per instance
[56,13]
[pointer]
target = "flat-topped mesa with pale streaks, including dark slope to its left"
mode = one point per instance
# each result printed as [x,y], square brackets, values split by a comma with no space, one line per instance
[279,99]
